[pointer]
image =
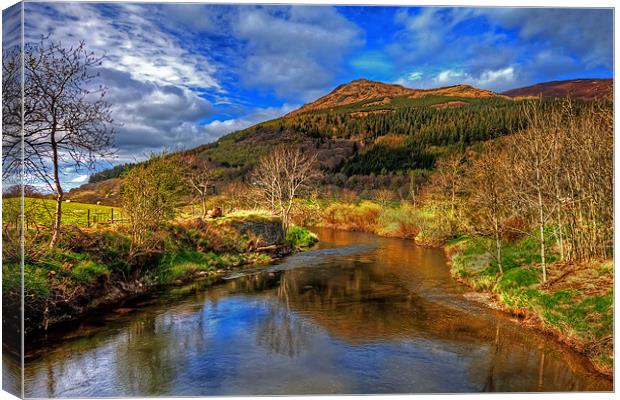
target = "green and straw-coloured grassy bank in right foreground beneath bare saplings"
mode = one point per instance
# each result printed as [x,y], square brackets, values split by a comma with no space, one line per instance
[575,304]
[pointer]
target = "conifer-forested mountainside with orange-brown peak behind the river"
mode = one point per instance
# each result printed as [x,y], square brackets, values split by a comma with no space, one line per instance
[365,134]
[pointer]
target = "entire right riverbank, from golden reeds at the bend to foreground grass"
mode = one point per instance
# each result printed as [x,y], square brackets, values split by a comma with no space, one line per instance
[575,305]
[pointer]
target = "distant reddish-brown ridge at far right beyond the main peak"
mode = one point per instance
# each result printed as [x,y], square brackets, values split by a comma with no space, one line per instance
[576,88]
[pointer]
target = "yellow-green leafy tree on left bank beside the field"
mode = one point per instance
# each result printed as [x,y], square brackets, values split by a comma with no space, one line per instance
[150,194]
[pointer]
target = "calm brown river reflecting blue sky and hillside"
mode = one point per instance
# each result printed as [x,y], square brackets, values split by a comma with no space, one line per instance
[357,314]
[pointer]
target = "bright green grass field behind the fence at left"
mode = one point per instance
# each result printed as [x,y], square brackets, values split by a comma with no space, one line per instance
[41,212]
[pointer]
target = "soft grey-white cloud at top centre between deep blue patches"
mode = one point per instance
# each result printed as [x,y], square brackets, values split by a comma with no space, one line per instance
[294,50]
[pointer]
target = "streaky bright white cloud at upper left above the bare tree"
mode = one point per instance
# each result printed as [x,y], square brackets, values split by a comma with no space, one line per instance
[131,41]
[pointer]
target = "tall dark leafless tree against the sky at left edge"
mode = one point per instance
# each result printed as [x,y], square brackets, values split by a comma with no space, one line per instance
[65,117]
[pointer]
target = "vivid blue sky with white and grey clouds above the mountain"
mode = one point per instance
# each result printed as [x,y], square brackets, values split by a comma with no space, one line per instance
[181,75]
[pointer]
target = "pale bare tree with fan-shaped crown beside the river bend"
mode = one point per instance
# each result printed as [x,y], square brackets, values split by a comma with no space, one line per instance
[282,176]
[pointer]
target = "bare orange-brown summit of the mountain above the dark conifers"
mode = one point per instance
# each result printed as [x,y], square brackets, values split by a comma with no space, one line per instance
[363,89]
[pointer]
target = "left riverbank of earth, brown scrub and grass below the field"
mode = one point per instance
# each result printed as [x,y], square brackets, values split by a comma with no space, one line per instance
[92,269]
